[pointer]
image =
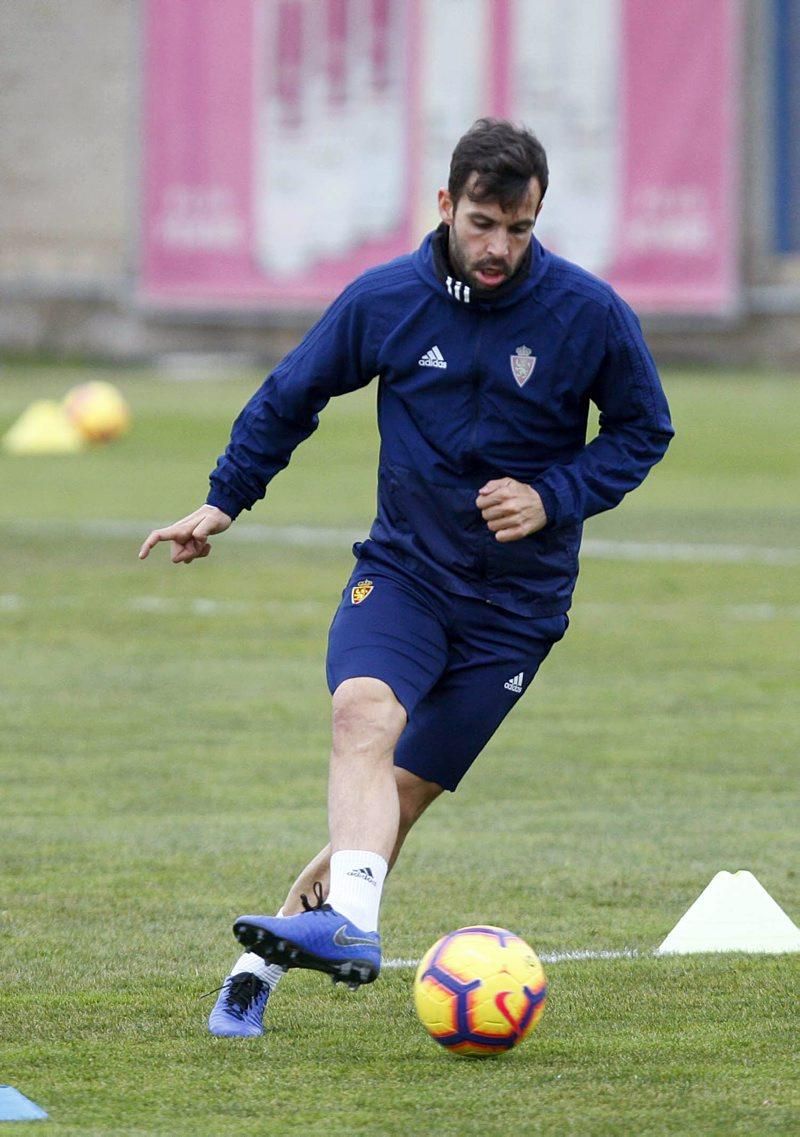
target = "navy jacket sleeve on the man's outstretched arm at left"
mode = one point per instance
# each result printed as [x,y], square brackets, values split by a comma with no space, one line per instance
[338,355]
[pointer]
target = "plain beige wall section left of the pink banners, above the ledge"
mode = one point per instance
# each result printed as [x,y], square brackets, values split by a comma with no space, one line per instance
[68,175]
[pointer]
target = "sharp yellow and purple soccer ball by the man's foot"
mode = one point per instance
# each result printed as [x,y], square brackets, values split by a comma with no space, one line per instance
[480,991]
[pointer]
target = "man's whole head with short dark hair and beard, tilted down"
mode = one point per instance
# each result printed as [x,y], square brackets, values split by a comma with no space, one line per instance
[498,180]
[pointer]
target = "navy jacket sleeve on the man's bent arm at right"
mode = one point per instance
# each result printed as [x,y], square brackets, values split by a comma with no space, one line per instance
[635,429]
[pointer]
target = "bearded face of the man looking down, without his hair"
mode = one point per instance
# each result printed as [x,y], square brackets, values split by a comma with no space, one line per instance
[488,244]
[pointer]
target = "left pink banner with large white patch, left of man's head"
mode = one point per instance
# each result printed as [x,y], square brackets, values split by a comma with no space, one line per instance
[278,143]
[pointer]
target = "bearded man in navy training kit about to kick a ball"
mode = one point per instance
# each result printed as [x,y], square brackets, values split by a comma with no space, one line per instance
[489,351]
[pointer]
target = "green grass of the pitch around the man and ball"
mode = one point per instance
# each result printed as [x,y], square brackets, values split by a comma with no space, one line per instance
[163,769]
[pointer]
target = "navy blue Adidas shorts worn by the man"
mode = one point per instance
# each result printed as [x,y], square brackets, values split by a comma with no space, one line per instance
[457,666]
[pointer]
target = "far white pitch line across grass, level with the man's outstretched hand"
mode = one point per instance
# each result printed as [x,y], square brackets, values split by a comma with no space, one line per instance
[320,537]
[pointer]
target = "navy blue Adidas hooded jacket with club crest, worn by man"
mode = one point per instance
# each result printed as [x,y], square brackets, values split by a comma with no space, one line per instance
[472,387]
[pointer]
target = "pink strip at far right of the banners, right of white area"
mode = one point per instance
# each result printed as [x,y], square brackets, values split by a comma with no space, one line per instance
[679,225]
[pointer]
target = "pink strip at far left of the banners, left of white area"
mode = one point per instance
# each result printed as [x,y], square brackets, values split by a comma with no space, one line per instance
[198,128]
